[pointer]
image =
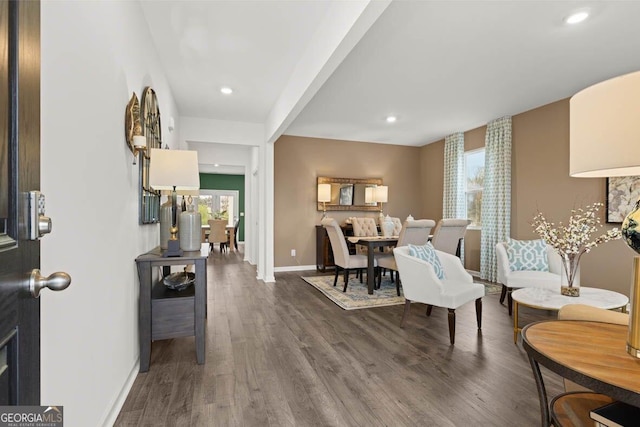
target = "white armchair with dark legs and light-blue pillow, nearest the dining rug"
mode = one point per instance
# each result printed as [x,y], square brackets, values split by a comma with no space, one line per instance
[421,283]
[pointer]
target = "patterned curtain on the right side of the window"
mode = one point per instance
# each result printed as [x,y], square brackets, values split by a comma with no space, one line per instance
[496,195]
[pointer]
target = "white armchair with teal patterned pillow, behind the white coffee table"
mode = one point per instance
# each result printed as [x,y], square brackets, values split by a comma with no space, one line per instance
[511,280]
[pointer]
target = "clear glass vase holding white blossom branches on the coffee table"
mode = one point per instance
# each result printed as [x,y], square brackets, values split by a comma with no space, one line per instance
[573,240]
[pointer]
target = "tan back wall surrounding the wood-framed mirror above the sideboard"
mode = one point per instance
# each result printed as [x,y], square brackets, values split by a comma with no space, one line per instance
[298,161]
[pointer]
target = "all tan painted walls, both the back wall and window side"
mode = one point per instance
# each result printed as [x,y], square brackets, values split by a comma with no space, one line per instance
[414,177]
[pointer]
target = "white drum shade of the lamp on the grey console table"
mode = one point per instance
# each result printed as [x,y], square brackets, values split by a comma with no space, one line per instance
[169,169]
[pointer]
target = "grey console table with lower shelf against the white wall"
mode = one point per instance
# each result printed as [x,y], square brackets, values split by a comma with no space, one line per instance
[165,313]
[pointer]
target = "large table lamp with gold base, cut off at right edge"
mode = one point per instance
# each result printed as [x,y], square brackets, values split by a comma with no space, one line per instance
[604,141]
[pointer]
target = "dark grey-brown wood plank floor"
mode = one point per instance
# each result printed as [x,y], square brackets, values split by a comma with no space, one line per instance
[284,355]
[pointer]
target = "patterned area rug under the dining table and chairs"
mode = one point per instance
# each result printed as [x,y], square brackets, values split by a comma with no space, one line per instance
[357,297]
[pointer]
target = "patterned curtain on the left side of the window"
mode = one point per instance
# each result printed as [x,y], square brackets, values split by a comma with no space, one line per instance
[453,197]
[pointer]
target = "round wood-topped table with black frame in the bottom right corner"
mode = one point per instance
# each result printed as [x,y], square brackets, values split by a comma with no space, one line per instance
[592,354]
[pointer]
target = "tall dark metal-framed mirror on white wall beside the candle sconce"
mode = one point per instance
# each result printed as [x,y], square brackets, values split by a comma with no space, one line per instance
[150,119]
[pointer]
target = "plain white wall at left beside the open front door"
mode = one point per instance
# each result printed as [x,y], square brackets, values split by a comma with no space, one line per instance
[94,55]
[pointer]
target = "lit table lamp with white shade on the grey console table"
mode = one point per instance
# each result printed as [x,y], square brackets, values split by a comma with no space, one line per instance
[174,170]
